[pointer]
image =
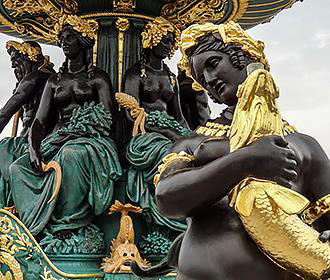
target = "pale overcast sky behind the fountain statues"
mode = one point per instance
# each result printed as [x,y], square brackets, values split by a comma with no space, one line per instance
[298,48]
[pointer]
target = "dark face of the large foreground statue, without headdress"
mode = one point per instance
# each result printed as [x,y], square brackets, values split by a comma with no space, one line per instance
[215,72]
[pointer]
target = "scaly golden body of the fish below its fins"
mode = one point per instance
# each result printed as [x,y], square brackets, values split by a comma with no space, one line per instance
[285,238]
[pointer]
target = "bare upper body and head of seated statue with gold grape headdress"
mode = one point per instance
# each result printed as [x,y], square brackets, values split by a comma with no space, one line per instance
[150,80]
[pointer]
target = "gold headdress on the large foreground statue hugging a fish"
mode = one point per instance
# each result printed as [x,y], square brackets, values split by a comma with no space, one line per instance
[231,33]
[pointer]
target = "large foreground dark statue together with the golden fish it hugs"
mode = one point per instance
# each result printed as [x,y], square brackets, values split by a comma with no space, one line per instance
[204,177]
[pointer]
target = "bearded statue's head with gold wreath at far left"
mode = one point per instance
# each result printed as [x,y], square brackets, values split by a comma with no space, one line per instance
[27,56]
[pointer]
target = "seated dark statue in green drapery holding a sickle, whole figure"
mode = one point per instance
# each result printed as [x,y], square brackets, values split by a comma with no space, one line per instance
[80,141]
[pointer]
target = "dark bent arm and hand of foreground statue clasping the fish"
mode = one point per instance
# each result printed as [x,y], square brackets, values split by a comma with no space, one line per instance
[184,190]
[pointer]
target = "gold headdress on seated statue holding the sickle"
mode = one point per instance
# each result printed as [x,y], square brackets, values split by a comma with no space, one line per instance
[85,27]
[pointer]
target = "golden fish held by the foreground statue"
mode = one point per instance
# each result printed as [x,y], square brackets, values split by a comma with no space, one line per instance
[269,212]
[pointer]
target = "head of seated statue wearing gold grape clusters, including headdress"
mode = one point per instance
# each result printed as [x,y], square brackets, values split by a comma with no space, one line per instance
[161,37]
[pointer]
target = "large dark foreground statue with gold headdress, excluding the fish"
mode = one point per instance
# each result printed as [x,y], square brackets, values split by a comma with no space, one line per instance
[200,171]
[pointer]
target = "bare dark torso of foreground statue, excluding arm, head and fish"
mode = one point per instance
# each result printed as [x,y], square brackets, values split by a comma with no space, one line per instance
[216,245]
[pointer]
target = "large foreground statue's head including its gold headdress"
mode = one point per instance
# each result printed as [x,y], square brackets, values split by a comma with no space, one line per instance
[216,57]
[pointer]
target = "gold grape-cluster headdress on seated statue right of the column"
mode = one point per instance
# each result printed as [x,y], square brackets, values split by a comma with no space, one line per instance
[154,31]
